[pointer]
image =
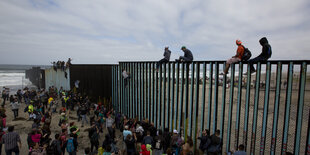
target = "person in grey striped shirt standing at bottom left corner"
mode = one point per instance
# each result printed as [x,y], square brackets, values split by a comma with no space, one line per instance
[12,142]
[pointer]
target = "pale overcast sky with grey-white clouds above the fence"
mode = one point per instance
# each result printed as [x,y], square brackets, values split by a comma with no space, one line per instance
[105,32]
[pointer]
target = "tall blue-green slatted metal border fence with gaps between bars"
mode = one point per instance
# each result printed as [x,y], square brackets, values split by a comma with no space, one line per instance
[267,111]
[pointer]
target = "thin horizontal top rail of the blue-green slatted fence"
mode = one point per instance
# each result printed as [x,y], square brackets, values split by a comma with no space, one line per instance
[221,61]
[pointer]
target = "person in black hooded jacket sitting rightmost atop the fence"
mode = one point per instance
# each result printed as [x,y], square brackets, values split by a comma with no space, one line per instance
[264,56]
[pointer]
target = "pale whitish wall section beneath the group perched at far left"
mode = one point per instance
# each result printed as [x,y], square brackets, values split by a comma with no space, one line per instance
[57,78]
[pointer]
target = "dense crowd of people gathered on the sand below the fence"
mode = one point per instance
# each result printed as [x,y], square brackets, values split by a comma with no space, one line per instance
[122,135]
